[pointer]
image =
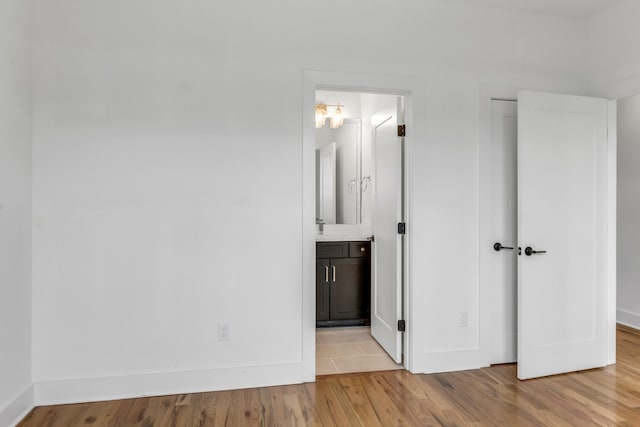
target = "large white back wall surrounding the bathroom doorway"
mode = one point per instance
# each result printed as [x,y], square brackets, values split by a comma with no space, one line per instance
[167,178]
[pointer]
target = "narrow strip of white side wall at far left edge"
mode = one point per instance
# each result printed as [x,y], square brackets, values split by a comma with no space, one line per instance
[15,211]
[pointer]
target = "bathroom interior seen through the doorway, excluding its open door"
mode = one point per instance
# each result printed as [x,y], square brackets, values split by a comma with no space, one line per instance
[346,200]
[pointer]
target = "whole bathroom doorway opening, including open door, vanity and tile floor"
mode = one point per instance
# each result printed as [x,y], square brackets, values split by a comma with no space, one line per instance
[359,203]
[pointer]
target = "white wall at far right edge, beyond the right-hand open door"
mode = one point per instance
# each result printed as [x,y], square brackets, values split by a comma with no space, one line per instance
[614,68]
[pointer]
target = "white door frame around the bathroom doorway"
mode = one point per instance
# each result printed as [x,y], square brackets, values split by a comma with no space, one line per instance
[413,89]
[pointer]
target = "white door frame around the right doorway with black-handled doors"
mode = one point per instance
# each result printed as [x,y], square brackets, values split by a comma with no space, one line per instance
[486,95]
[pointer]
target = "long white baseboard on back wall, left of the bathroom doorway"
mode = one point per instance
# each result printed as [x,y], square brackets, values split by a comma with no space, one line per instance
[160,384]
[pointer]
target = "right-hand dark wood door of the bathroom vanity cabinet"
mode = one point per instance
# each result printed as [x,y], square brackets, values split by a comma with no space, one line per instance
[349,288]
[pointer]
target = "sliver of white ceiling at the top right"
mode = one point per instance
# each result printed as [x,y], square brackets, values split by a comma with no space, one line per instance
[566,8]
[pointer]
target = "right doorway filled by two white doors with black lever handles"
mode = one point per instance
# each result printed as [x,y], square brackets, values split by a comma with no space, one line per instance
[546,187]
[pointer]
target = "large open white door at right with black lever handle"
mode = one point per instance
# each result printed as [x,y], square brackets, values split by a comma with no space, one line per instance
[562,209]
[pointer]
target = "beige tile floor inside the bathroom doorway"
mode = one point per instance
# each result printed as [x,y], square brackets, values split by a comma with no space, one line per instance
[350,349]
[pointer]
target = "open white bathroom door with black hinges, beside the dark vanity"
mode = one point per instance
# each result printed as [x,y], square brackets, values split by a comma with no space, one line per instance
[386,284]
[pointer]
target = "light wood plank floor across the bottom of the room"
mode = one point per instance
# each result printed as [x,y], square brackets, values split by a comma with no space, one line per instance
[484,397]
